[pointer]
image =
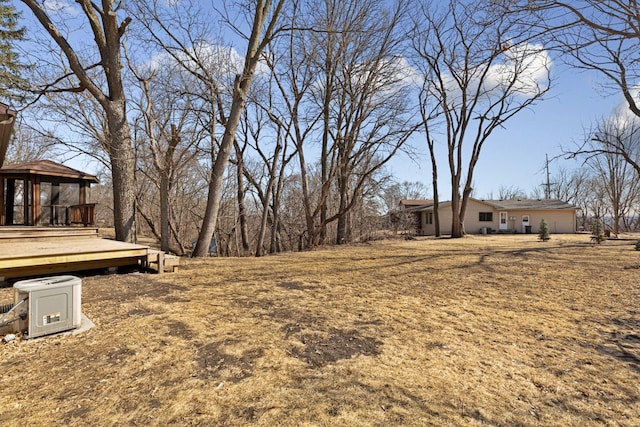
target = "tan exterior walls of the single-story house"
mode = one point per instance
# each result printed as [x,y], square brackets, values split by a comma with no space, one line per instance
[560,221]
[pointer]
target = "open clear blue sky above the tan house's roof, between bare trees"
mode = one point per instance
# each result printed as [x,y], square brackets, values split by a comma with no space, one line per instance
[515,156]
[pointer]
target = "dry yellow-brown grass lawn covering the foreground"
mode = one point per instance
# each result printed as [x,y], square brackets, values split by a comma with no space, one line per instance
[499,330]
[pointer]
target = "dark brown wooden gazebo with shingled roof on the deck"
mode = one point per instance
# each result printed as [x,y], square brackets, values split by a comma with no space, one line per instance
[24,199]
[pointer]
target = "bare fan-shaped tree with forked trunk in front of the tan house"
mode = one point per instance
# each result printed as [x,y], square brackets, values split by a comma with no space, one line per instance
[480,70]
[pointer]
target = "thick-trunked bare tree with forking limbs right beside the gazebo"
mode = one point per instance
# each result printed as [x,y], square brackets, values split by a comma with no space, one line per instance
[107,30]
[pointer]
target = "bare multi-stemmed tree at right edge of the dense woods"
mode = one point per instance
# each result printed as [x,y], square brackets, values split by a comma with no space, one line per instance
[364,98]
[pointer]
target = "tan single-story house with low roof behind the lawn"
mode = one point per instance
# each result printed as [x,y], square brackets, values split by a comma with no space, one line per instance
[498,216]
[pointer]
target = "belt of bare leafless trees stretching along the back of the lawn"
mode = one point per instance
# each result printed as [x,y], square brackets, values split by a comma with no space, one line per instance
[285,145]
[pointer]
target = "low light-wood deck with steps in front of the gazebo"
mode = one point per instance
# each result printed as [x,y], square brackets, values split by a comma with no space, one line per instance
[31,251]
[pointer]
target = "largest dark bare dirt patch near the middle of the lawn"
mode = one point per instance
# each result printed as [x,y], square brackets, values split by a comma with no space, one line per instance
[319,350]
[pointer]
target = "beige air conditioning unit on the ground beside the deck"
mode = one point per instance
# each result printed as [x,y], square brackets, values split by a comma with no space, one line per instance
[52,304]
